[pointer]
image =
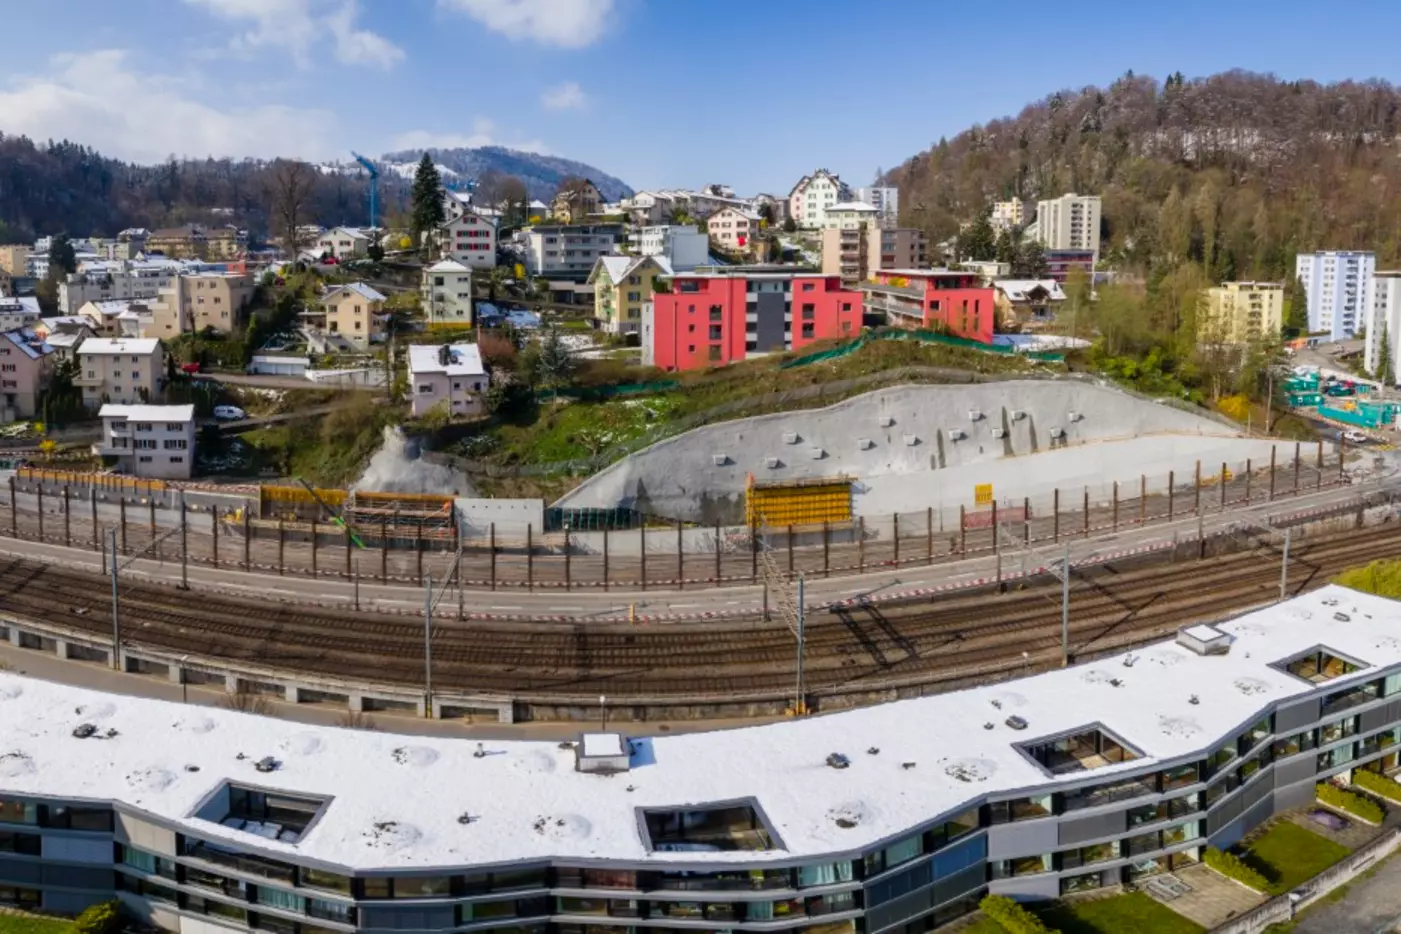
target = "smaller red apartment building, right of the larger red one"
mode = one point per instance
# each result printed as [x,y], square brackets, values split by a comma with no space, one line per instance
[934,299]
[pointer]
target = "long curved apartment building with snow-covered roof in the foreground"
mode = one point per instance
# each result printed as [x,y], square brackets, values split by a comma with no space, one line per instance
[1074,781]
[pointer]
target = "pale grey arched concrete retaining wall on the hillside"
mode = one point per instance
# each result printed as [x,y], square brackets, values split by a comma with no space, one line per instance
[927,440]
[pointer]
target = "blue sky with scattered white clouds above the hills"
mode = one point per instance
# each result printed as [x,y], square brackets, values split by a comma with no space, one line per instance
[659,93]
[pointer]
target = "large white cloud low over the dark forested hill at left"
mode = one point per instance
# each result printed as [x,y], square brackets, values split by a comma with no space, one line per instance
[97,99]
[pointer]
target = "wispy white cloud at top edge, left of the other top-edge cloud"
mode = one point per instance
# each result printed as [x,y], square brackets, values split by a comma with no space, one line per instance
[303,29]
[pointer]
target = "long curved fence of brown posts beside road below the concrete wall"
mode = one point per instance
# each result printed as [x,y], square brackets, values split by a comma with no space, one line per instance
[673,557]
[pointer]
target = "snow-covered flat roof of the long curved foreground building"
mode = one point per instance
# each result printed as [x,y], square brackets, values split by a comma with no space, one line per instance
[396,802]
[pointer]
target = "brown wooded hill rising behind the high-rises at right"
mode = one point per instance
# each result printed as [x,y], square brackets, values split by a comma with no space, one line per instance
[1234,173]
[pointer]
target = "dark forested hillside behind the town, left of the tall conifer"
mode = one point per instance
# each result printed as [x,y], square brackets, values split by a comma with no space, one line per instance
[64,187]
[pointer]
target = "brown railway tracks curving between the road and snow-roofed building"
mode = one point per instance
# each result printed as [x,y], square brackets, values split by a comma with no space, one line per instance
[855,650]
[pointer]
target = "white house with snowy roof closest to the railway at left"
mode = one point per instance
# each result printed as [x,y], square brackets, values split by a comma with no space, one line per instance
[149,440]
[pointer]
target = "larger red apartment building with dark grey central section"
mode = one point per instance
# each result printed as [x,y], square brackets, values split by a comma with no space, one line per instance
[721,316]
